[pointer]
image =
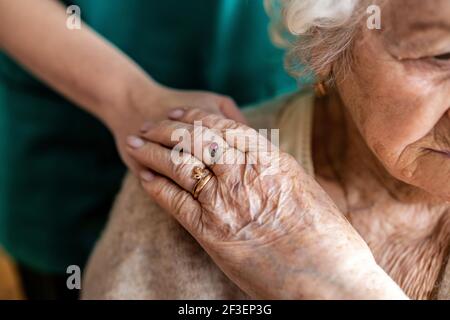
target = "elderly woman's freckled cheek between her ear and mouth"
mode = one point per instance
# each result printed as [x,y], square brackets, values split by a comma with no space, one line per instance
[392,105]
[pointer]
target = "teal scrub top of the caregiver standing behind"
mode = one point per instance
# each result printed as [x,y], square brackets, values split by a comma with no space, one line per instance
[60,170]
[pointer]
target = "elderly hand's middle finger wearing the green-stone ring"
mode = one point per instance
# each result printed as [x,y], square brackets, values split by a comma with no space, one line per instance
[203,143]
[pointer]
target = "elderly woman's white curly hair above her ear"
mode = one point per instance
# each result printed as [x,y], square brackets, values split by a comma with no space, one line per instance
[317,33]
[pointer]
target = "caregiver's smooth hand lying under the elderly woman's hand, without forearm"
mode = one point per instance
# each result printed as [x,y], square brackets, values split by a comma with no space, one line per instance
[153,104]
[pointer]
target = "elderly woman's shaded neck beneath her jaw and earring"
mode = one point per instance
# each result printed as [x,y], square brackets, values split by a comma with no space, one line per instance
[341,155]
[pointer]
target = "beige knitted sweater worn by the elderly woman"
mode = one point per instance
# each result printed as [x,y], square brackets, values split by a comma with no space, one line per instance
[145,254]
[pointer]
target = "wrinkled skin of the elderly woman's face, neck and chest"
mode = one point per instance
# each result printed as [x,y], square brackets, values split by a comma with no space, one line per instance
[391,115]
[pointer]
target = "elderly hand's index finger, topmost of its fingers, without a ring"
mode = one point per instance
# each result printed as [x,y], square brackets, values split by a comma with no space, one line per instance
[237,135]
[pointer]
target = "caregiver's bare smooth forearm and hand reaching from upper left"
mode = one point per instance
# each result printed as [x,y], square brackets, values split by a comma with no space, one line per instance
[105,82]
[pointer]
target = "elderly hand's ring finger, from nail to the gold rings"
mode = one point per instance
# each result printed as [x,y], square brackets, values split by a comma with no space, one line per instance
[178,166]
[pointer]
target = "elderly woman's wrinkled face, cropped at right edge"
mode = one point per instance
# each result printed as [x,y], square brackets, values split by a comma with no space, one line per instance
[399,92]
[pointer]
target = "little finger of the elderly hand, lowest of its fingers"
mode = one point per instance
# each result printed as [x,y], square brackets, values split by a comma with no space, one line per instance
[173,199]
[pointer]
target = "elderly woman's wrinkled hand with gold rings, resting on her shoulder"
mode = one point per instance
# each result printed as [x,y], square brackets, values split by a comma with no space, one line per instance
[265,223]
